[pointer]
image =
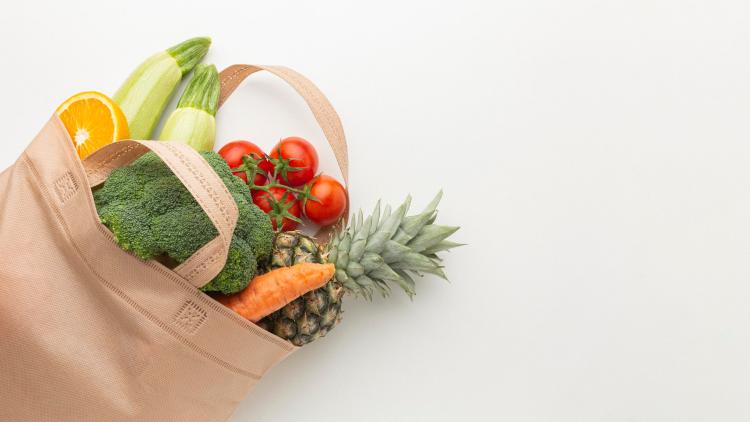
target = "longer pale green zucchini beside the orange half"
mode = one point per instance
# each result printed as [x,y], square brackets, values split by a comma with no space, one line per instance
[148,89]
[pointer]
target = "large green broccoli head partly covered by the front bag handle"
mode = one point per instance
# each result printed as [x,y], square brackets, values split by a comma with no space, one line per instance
[153,216]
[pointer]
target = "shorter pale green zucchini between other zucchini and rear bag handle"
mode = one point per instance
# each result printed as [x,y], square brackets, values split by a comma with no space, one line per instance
[193,121]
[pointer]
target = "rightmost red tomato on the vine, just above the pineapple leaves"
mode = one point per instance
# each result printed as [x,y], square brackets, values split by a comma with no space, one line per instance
[328,201]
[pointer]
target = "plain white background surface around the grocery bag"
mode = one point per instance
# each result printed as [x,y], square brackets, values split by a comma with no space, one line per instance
[595,154]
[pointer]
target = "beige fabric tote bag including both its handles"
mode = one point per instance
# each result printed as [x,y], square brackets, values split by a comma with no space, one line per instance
[89,332]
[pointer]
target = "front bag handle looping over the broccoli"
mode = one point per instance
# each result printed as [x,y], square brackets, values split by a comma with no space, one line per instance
[199,179]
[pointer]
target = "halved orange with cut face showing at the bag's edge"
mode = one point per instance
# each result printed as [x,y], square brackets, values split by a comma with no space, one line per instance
[92,120]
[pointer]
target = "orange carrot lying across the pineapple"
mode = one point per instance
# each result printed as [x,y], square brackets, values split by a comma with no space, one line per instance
[273,290]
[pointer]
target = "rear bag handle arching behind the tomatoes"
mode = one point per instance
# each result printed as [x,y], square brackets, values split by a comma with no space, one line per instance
[326,116]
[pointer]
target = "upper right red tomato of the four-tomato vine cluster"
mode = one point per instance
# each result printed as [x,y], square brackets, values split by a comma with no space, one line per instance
[299,153]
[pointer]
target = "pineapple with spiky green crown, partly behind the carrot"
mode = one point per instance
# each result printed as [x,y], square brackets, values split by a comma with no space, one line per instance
[368,255]
